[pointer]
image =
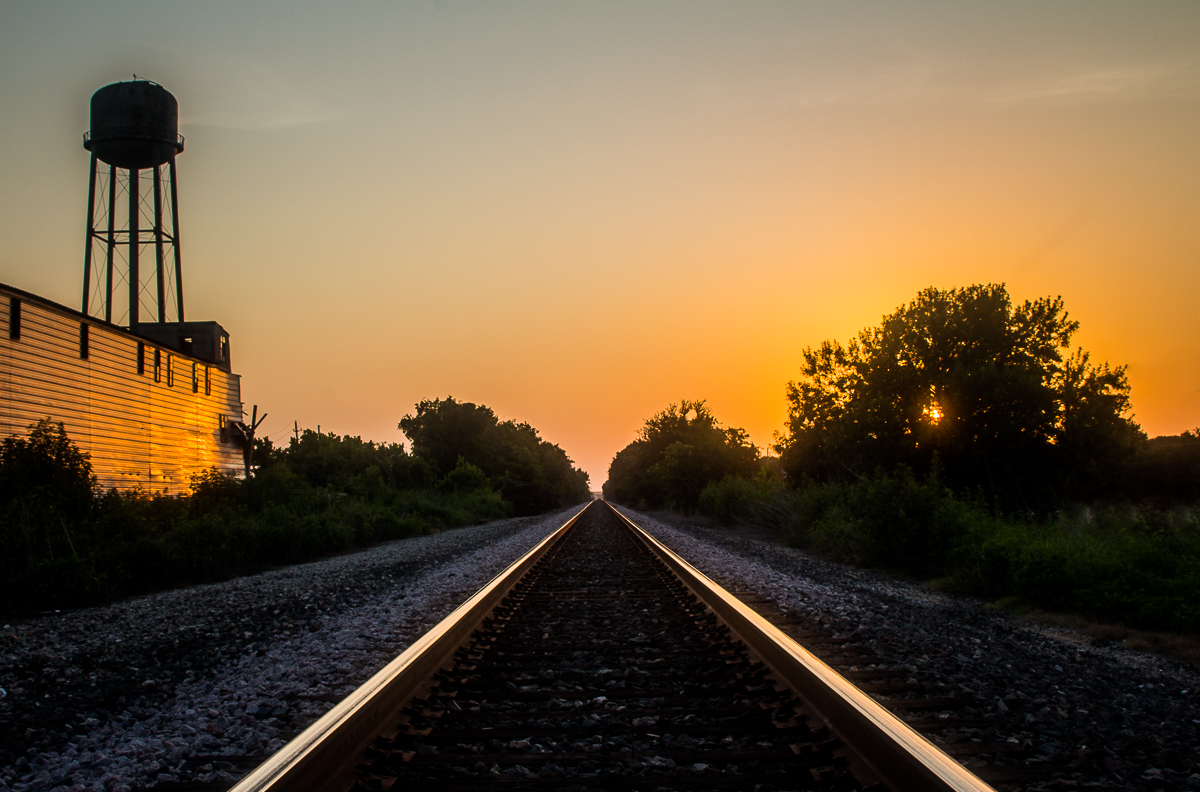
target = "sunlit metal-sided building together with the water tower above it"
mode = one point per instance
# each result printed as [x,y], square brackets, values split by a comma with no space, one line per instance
[149,395]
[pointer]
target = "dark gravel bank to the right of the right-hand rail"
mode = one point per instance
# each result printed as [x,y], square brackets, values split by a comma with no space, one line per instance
[1115,719]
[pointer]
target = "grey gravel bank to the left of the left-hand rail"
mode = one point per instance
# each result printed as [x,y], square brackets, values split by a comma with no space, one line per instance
[201,685]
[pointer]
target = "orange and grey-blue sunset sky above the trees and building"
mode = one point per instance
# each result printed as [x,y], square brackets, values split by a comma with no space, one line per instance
[580,213]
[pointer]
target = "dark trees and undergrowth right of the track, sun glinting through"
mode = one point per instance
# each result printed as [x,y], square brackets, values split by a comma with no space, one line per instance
[961,440]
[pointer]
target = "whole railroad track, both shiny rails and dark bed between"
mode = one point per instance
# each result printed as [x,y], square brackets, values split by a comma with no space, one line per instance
[602,661]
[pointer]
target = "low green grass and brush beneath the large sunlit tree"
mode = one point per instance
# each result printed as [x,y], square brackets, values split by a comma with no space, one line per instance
[1119,563]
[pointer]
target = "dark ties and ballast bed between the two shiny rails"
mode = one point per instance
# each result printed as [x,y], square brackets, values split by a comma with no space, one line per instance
[599,670]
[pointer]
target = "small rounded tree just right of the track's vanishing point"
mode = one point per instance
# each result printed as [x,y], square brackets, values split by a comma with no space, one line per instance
[677,454]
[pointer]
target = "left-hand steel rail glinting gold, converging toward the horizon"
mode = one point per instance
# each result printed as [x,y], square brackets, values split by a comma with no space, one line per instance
[323,757]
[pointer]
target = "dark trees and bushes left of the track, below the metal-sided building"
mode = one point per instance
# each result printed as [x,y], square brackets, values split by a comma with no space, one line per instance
[64,543]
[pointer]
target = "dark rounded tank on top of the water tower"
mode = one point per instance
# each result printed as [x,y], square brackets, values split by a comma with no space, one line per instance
[135,125]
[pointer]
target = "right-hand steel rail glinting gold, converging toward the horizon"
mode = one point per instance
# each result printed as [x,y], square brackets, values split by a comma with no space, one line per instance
[903,759]
